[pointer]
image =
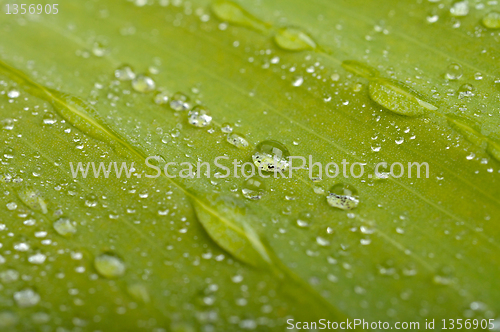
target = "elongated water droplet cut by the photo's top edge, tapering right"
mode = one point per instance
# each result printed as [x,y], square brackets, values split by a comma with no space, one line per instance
[233,13]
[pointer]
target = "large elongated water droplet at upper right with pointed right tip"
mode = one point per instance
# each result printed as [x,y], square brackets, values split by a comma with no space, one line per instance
[397,97]
